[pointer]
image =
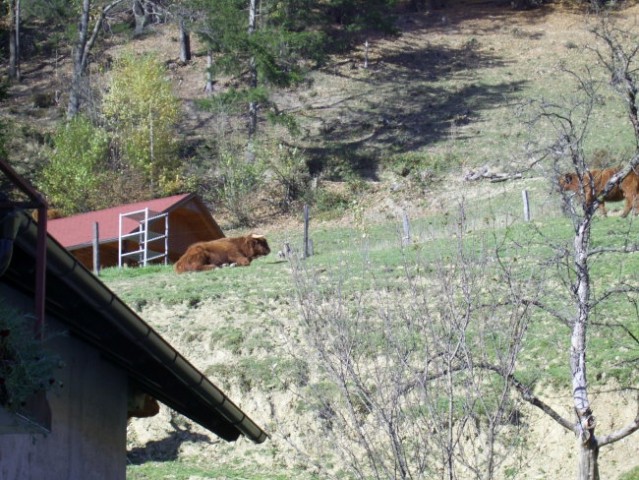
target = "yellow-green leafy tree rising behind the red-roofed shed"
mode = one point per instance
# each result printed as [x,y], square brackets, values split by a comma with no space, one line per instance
[142,111]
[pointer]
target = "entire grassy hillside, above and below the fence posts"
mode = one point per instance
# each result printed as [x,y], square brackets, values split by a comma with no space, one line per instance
[446,97]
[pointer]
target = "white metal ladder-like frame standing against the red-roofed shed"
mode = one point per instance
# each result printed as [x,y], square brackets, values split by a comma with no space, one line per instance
[145,238]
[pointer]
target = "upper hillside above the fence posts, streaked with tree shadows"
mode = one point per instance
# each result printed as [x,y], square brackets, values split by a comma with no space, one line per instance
[442,98]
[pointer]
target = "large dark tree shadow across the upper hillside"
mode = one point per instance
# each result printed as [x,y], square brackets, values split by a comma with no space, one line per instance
[411,97]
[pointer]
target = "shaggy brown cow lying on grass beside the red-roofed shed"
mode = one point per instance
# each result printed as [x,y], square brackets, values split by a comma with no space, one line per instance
[224,251]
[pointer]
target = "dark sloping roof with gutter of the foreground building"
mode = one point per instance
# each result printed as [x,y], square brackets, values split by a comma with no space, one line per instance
[96,315]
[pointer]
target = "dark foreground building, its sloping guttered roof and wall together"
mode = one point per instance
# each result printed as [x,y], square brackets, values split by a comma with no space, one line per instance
[108,353]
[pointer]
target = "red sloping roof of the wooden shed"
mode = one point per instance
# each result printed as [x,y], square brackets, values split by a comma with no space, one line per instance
[78,229]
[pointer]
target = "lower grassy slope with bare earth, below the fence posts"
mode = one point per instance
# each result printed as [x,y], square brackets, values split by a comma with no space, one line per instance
[243,328]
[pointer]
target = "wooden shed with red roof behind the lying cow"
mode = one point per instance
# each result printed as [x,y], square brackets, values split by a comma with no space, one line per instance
[153,228]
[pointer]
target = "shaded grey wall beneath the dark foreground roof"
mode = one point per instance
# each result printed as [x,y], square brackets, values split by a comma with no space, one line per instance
[88,428]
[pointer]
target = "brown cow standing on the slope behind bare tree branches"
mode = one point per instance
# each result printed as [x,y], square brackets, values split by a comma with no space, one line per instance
[627,190]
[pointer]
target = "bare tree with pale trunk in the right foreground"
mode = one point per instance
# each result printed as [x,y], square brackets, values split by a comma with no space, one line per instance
[617,51]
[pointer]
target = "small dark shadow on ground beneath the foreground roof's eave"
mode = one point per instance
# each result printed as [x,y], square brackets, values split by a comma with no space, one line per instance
[166,449]
